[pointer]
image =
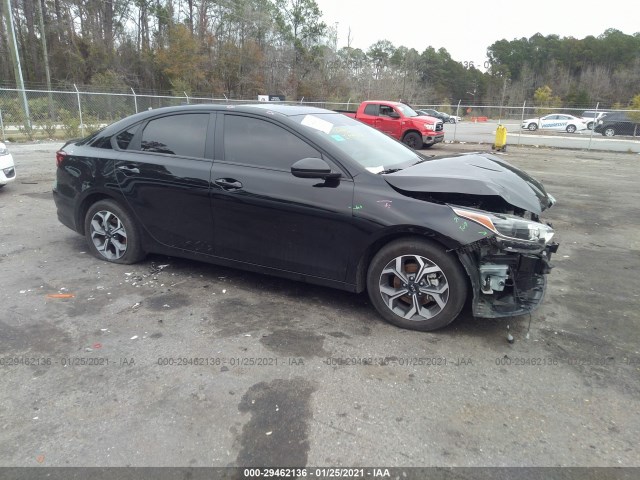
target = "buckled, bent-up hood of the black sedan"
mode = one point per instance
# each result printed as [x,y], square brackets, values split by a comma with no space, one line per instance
[474,174]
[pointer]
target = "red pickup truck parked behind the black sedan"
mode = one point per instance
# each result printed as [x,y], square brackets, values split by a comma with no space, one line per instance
[401,122]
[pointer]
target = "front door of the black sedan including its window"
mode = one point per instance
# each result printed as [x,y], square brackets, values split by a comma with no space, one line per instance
[264,215]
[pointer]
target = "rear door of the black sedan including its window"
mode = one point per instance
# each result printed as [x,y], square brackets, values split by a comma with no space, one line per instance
[164,173]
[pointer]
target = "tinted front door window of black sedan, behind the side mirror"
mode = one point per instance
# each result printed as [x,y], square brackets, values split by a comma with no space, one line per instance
[255,142]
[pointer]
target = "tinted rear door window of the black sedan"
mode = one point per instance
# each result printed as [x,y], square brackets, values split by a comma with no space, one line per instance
[182,135]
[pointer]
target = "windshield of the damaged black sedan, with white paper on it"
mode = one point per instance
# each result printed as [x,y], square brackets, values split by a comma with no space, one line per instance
[369,147]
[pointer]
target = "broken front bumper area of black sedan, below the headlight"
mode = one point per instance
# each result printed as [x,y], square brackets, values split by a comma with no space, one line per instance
[507,278]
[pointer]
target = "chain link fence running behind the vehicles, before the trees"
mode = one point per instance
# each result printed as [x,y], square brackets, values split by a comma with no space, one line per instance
[43,114]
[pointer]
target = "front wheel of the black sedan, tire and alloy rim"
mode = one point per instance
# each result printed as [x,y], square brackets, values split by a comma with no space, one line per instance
[444,279]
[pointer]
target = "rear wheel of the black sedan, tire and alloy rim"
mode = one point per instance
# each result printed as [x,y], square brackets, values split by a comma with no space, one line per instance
[112,234]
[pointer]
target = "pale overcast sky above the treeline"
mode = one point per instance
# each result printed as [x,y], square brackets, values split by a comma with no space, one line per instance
[467,27]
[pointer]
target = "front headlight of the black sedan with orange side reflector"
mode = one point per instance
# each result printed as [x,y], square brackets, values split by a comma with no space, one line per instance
[509,226]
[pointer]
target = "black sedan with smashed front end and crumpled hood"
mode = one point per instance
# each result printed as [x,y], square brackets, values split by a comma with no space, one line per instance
[312,195]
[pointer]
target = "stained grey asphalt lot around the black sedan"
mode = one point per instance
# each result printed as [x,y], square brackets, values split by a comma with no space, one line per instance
[110,377]
